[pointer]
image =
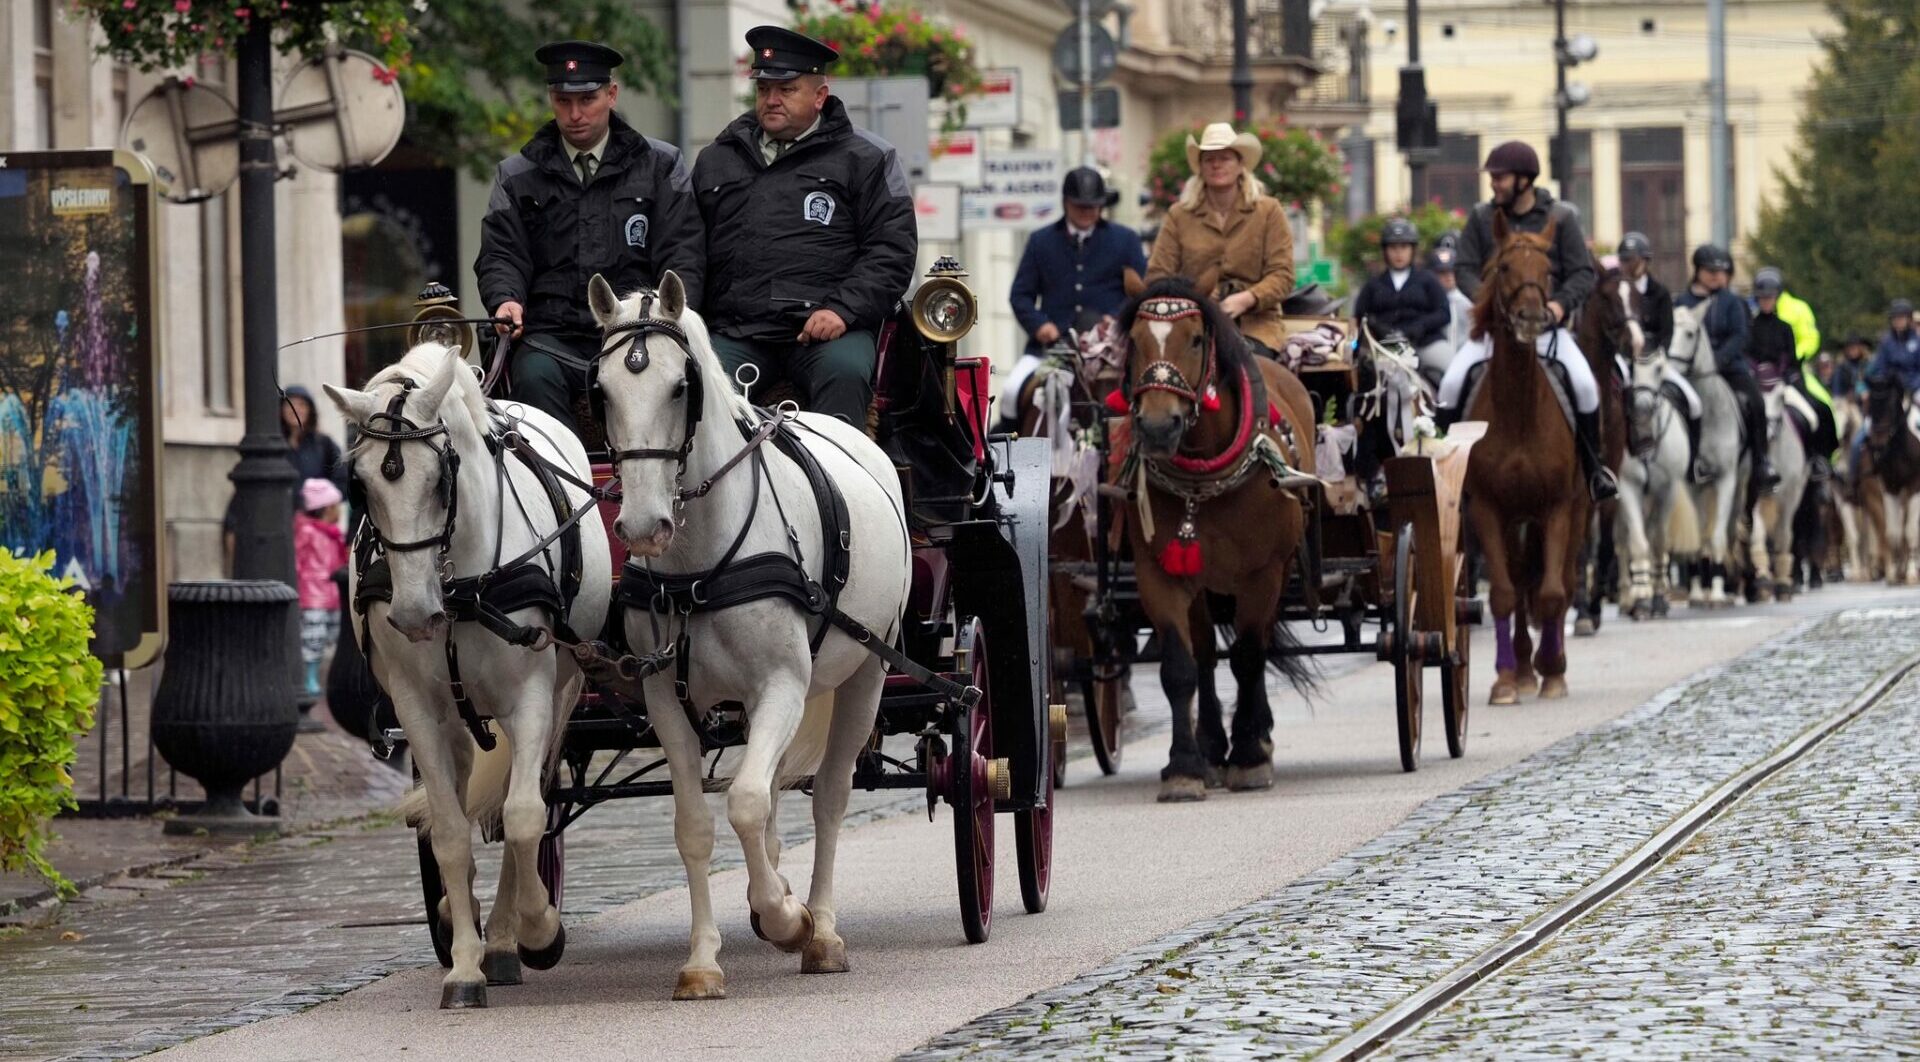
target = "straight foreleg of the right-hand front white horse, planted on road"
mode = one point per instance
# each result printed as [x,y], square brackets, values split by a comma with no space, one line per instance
[694,836]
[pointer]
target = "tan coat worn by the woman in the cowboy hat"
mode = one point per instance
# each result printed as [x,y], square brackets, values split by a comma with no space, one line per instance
[1253,253]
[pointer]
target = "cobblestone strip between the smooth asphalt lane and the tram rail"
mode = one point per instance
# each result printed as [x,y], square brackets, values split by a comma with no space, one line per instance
[1324,955]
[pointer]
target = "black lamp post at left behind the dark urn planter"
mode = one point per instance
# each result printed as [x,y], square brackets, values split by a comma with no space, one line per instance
[264,481]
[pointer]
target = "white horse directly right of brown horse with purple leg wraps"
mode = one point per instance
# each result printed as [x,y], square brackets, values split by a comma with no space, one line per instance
[1652,483]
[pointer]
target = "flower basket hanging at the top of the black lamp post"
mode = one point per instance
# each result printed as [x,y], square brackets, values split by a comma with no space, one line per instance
[176,34]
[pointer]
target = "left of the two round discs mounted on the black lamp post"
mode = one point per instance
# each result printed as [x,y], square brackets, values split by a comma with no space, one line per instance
[191,137]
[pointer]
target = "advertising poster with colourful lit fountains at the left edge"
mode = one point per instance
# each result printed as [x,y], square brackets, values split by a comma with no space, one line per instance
[80,414]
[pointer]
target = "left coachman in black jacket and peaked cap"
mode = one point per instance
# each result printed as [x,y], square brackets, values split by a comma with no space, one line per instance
[587,195]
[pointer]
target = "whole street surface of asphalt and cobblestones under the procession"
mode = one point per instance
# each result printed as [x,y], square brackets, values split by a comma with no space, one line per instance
[1249,925]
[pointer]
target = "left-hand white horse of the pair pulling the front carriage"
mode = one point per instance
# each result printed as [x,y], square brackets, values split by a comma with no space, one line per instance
[439,502]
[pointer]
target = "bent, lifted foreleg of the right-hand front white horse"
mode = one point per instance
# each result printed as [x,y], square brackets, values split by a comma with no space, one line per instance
[775,719]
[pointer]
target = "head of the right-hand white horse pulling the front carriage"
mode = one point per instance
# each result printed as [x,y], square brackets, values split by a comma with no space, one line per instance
[658,379]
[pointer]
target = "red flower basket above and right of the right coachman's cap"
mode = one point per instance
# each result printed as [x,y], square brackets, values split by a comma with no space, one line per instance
[898,41]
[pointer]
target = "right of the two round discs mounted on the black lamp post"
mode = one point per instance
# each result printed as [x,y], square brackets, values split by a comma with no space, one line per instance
[343,110]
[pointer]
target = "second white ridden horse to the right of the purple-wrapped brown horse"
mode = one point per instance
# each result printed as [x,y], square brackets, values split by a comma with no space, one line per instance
[1719,500]
